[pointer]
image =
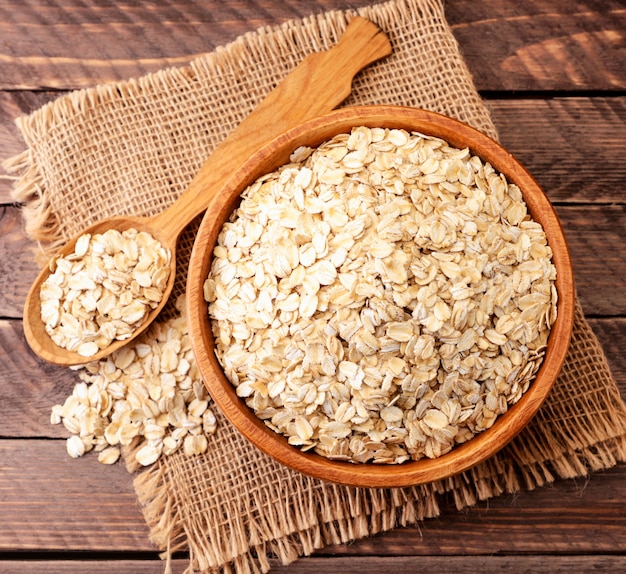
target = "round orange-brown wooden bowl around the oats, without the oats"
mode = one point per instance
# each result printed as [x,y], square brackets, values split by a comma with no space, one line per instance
[275,154]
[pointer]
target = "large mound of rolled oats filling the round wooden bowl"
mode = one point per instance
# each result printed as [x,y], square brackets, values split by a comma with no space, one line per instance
[381,298]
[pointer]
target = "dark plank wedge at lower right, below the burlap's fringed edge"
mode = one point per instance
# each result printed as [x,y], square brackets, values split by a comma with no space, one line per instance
[573,517]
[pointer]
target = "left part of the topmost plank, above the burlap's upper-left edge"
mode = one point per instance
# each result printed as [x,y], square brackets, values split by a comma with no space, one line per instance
[119,41]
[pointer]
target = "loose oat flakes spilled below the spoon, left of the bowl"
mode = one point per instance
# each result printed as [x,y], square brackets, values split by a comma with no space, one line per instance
[148,395]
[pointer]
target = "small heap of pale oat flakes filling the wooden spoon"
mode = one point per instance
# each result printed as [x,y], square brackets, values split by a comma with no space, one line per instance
[104,290]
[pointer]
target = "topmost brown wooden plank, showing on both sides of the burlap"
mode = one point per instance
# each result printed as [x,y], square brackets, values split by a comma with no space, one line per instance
[539,45]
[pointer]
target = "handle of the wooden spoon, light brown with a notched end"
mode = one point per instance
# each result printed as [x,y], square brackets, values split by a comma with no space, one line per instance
[317,85]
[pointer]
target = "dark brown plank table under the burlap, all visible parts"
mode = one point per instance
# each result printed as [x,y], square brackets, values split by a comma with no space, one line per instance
[554,76]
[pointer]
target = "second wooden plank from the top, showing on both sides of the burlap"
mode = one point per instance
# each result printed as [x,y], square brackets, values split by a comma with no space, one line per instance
[574,147]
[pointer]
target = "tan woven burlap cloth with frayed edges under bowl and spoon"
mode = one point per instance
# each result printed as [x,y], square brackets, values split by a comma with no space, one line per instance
[132,147]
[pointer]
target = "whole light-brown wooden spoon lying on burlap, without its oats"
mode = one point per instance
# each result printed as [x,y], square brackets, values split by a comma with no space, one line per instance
[317,85]
